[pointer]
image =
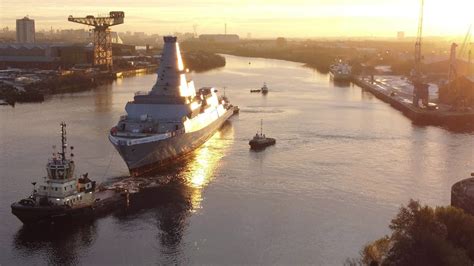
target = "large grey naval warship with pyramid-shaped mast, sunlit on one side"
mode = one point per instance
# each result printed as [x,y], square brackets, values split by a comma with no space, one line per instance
[169,121]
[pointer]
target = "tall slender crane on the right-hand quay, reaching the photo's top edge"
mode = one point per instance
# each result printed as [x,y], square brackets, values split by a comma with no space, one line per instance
[420,89]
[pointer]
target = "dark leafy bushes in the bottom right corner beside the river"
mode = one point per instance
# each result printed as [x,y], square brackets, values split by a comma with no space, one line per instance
[422,235]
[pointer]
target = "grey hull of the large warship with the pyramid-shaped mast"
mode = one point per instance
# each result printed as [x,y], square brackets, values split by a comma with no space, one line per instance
[142,158]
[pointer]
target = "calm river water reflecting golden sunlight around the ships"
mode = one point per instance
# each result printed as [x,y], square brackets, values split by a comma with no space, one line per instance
[343,164]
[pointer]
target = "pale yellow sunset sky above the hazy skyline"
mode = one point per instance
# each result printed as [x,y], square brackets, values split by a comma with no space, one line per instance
[261,18]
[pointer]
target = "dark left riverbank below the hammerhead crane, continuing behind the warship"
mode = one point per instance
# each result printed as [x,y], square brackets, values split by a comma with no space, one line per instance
[34,85]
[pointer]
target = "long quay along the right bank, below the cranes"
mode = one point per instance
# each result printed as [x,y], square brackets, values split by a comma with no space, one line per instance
[442,116]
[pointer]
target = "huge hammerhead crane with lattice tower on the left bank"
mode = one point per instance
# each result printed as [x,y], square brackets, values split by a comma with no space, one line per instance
[102,38]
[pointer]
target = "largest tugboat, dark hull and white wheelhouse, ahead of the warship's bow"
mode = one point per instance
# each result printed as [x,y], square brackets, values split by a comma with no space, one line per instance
[62,195]
